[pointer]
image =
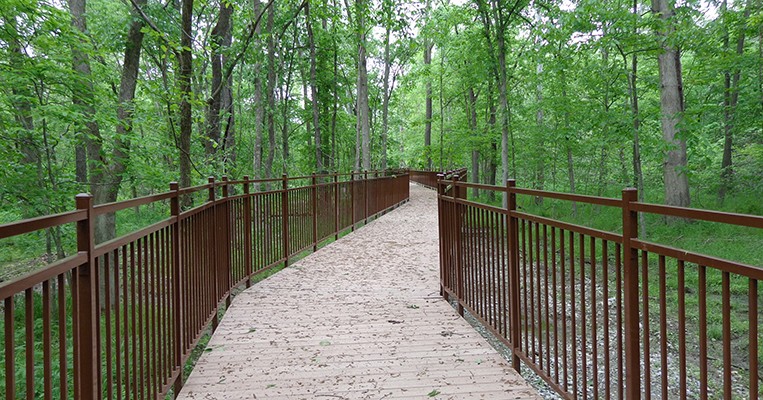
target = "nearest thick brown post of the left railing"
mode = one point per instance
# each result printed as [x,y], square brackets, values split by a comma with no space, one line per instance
[87,316]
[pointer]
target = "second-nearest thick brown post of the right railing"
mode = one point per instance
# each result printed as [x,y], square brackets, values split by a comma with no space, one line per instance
[513,248]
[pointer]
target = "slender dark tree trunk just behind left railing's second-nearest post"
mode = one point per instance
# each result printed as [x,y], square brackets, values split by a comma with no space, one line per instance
[184,84]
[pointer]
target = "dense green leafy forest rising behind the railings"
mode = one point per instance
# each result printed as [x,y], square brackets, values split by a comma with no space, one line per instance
[118,98]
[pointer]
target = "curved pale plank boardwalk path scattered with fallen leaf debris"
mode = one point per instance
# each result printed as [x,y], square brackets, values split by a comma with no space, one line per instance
[360,319]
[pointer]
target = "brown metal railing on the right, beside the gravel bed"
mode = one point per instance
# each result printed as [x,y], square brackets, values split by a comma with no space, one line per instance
[589,311]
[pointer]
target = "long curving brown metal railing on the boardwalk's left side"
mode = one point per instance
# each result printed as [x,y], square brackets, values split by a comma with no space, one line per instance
[120,319]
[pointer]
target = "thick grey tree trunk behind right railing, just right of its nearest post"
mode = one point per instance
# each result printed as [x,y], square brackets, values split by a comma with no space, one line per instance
[672,108]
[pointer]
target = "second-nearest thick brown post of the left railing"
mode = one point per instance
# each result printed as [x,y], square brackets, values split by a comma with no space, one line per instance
[177,309]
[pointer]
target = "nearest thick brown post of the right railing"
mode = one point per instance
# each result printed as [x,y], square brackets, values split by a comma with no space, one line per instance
[631,296]
